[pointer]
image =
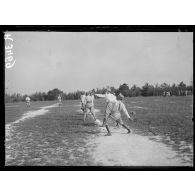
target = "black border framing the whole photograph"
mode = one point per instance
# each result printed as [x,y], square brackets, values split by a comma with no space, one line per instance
[83,28]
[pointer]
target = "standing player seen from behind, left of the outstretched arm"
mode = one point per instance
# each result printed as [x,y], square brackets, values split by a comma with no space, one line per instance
[89,105]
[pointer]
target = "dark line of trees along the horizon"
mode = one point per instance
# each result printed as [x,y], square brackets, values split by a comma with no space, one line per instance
[146,90]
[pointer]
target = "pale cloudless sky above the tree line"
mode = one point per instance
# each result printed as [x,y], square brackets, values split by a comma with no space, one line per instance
[73,61]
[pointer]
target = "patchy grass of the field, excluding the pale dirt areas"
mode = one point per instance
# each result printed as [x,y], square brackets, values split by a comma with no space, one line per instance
[60,137]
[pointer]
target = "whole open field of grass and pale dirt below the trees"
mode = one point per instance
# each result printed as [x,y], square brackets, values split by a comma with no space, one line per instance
[53,136]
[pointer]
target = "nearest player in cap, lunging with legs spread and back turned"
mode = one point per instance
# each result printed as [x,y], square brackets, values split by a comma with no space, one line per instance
[113,110]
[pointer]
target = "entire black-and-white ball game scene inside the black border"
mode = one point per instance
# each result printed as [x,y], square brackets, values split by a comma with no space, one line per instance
[98,98]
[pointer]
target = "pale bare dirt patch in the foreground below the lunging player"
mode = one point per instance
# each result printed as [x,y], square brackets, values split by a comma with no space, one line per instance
[122,149]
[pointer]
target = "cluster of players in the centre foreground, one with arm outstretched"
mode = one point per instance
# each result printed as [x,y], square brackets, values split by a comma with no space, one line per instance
[113,109]
